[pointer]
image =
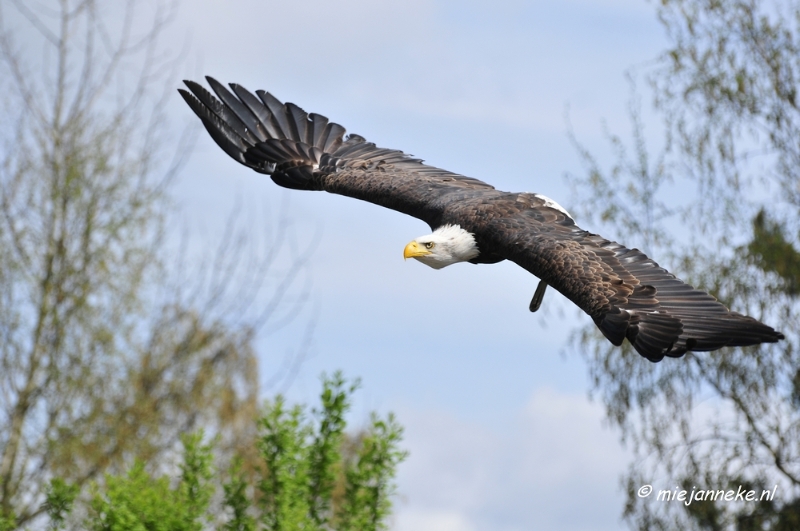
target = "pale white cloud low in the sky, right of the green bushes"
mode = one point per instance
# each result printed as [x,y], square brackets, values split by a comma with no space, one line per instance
[553,466]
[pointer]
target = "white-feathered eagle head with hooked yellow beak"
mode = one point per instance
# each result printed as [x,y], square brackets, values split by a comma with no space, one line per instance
[449,244]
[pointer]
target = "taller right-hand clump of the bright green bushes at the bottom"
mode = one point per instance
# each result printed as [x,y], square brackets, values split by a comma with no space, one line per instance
[304,457]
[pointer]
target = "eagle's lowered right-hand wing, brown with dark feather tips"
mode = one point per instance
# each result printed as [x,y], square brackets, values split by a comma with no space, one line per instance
[626,293]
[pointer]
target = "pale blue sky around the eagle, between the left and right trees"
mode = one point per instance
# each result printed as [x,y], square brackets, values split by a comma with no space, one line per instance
[500,431]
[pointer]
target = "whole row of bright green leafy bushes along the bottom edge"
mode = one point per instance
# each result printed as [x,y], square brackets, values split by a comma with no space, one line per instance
[311,475]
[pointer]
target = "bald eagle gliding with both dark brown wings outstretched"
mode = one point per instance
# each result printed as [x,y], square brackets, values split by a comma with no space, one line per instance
[626,293]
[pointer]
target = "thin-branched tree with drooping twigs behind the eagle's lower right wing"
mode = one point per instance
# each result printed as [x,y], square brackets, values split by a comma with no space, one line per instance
[727,87]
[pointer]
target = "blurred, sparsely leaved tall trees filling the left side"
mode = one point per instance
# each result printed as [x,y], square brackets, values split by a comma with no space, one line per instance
[101,359]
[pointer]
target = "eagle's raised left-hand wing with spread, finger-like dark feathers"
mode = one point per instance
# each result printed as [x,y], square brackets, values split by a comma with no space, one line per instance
[308,152]
